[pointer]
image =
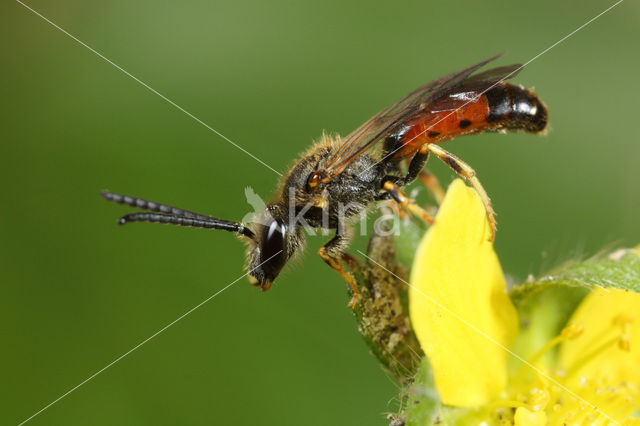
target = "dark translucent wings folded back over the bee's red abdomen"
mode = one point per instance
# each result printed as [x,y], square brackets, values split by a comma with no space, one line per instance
[420,100]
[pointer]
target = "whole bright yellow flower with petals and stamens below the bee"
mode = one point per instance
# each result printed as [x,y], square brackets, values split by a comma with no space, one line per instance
[467,326]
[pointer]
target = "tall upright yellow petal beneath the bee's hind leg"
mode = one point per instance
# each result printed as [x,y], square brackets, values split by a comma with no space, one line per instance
[459,305]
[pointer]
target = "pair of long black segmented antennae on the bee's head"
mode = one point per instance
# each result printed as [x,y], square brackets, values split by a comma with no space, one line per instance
[172,215]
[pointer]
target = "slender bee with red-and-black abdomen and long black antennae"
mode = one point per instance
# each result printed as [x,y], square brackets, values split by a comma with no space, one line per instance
[338,178]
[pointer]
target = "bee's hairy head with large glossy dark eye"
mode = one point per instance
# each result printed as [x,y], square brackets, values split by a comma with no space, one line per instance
[273,244]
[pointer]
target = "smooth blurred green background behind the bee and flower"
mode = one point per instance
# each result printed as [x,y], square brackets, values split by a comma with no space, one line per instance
[77,291]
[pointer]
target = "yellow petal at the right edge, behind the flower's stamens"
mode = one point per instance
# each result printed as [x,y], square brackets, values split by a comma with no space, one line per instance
[609,349]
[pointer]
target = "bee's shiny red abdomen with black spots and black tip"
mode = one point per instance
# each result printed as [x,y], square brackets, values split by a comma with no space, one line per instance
[504,107]
